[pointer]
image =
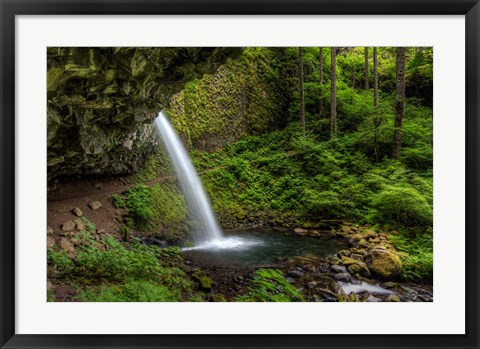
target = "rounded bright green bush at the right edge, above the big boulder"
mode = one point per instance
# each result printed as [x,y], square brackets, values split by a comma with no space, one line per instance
[402,206]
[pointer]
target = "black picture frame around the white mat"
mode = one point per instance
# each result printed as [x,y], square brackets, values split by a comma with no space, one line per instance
[11,8]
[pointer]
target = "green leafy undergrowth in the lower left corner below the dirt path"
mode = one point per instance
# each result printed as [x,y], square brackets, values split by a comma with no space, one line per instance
[111,271]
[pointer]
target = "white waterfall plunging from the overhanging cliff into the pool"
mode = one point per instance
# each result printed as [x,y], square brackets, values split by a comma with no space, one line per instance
[207,232]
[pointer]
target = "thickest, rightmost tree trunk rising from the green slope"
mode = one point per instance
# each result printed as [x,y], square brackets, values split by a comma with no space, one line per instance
[399,102]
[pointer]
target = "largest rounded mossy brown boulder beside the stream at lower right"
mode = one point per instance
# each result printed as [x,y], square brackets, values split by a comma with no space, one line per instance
[385,264]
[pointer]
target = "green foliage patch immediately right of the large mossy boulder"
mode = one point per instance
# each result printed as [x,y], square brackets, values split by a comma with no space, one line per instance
[417,257]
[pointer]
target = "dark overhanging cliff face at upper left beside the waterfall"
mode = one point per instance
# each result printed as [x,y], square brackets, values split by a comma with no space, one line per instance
[102,101]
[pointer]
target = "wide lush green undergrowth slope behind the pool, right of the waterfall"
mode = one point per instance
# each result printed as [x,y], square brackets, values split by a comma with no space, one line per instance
[284,174]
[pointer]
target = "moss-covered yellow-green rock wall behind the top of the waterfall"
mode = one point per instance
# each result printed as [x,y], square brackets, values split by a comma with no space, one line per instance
[244,97]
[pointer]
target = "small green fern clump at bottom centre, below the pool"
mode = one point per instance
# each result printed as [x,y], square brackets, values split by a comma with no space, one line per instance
[269,285]
